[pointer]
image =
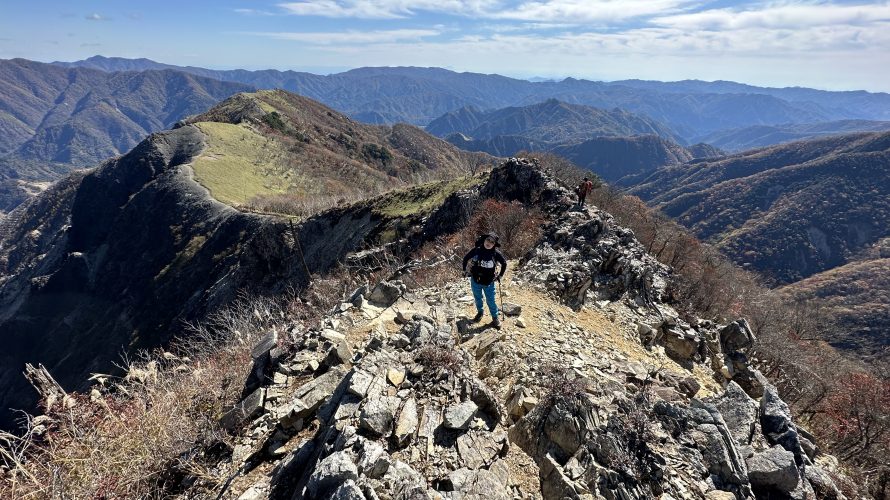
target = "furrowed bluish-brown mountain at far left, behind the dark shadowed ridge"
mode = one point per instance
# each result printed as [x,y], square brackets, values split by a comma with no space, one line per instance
[55,119]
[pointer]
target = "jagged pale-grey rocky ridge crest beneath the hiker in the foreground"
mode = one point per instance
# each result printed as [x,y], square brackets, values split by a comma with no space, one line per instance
[594,387]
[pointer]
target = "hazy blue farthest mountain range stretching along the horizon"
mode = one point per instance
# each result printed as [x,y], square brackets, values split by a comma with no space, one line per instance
[419,95]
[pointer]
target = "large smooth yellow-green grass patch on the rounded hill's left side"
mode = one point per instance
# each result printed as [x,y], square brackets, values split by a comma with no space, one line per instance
[239,164]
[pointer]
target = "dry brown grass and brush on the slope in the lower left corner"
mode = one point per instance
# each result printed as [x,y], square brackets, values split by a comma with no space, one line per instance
[146,434]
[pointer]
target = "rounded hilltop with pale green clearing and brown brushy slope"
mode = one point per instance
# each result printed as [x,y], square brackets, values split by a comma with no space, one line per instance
[279,152]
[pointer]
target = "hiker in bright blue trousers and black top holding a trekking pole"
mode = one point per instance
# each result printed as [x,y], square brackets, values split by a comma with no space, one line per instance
[482,274]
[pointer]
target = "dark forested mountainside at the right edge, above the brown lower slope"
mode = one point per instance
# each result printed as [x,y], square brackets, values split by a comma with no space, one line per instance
[791,210]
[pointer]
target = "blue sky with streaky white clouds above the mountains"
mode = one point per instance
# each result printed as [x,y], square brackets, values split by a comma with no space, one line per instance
[837,45]
